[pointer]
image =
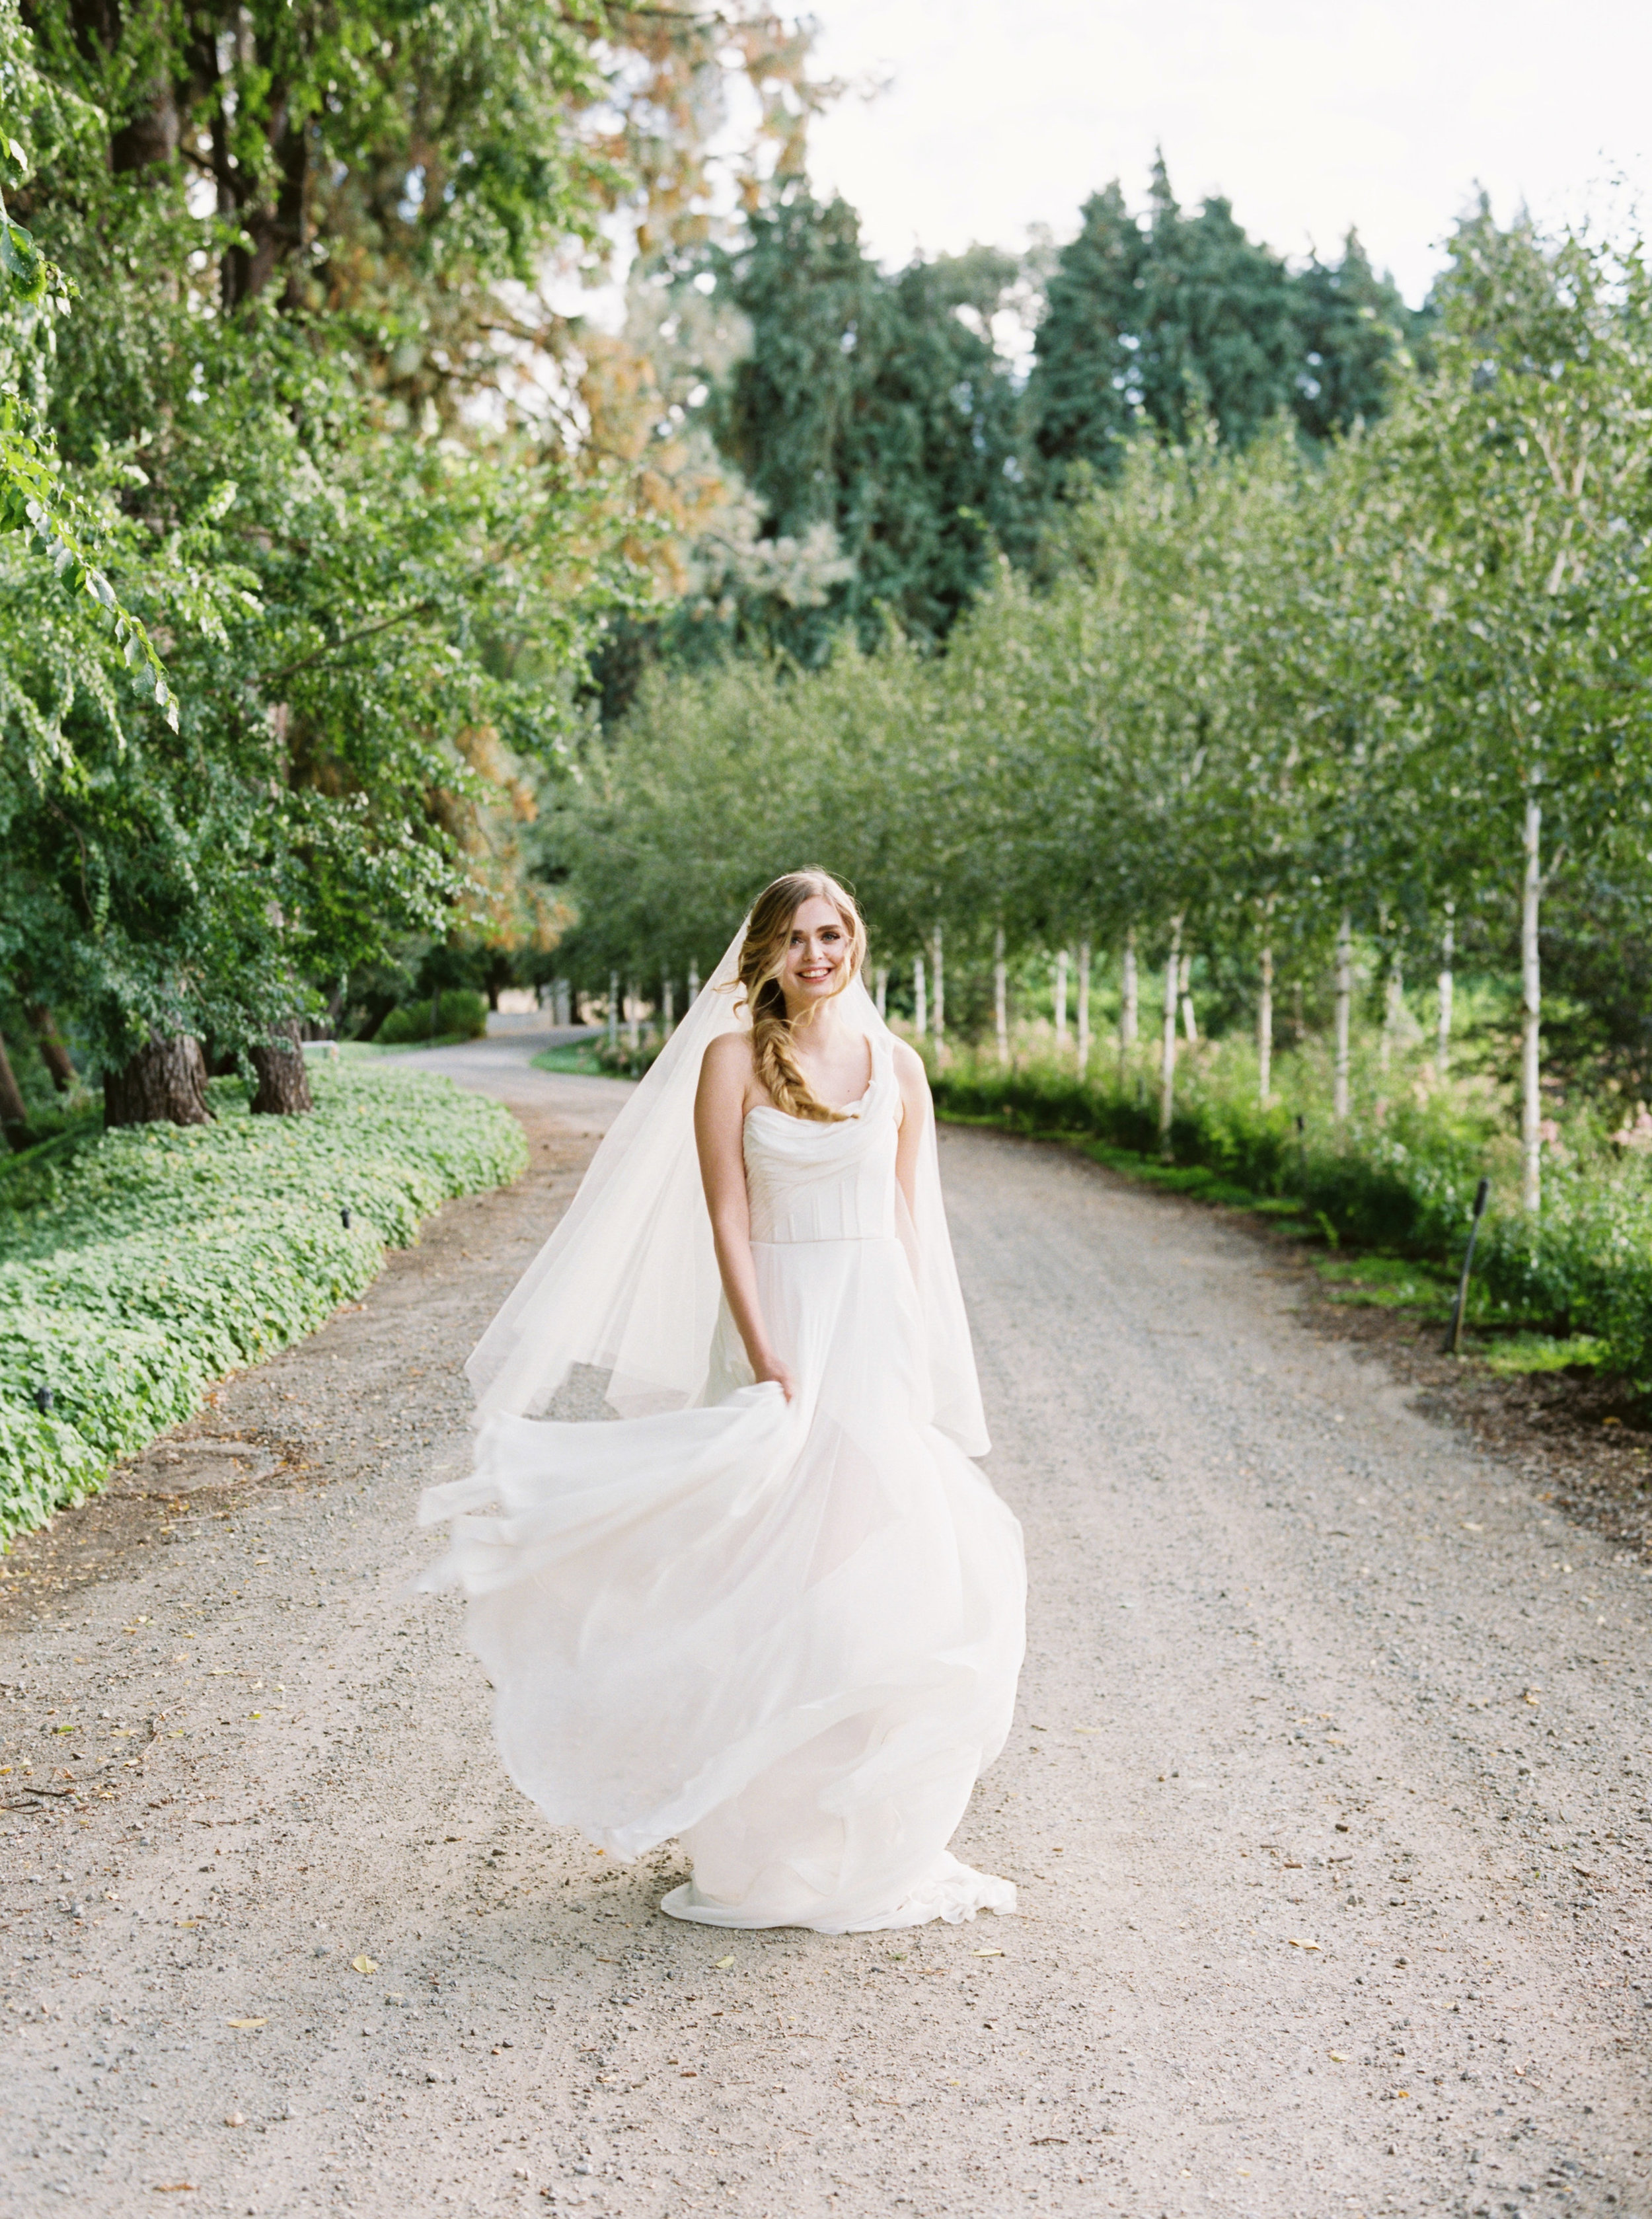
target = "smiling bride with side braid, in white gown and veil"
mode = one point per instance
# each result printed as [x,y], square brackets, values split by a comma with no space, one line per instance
[774,1610]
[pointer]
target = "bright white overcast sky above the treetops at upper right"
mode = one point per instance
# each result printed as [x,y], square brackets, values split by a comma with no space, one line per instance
[1384,114]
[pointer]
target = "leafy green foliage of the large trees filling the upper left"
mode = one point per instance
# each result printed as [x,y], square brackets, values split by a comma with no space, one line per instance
[279,438]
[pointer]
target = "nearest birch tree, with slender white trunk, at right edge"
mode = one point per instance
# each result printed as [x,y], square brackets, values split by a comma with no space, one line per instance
[1531,463]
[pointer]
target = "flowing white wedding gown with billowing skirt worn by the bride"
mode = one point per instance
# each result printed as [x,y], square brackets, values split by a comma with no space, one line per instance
[783,1632]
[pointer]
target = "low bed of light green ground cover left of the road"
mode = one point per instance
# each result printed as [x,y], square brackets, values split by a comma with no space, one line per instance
[141,1268]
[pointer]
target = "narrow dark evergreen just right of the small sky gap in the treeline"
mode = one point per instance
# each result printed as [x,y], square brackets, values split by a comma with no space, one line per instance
[1078,398]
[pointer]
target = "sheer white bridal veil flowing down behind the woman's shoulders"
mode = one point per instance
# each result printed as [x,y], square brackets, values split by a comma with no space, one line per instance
[629,1279]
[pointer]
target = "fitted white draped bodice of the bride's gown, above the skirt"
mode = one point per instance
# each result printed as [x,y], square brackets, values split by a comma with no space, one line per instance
[814,1182]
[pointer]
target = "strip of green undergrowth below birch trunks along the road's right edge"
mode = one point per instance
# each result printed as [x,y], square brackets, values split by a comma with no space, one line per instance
[1400,1182]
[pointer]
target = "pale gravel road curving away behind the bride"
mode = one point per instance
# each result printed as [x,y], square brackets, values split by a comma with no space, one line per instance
[1329,1801]
